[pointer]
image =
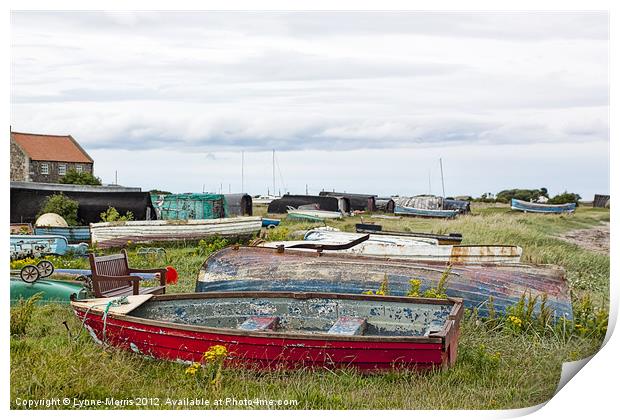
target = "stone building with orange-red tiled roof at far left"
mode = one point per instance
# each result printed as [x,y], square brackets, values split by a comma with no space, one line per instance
[46,158]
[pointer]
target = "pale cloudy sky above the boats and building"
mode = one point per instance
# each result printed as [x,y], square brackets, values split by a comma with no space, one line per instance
[354,101]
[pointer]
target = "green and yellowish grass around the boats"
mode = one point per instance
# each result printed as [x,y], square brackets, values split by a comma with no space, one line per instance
[496,367]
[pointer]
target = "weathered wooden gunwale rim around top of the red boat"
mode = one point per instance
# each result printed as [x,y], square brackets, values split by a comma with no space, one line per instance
[452,321]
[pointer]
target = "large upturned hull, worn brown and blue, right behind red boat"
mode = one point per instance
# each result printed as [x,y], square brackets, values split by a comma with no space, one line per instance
[265,269]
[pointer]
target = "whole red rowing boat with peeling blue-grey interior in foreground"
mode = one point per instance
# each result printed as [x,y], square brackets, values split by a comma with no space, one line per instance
[282,329]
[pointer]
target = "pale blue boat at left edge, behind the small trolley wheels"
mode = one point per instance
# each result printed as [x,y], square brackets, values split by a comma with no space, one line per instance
[23,246]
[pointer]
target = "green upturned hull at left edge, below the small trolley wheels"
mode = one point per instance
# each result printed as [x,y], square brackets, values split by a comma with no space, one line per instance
[53,290]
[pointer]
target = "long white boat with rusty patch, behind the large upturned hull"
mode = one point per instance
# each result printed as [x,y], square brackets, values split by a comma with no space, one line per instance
[418,249]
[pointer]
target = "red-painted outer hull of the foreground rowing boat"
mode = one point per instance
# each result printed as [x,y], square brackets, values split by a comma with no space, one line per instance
[177,339]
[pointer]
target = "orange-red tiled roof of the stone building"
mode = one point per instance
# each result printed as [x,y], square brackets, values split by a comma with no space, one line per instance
[51,148]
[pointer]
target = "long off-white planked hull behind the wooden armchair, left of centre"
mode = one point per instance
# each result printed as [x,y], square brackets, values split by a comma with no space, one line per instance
[116,234]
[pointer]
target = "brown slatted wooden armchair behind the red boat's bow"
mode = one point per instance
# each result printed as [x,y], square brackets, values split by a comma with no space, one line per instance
[111,276]
